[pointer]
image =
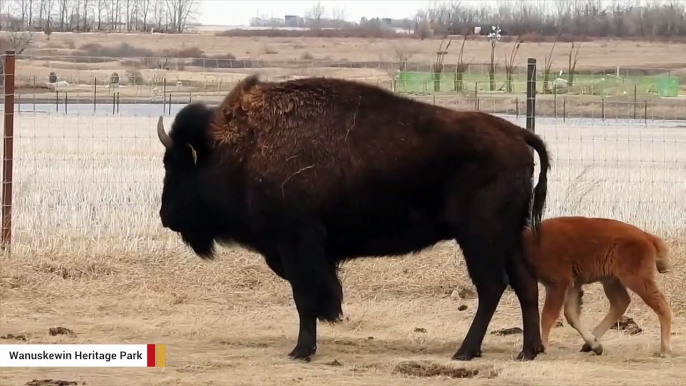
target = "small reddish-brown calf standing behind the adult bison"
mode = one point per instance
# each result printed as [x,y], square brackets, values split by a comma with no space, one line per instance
[574,251]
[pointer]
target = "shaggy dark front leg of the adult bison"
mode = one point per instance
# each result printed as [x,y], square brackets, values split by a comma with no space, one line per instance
[317,291]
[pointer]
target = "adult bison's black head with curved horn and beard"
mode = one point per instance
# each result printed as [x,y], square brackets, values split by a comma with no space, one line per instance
[188,178]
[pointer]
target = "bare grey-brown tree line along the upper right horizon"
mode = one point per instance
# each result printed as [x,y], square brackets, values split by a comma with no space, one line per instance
[591,18]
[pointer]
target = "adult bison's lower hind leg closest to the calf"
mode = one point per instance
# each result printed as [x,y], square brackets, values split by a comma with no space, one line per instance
[525,285]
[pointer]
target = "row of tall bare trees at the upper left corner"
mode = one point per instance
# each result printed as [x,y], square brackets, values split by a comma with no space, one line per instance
[169,16]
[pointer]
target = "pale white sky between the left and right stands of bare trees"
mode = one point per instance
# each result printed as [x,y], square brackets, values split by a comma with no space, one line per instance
[239,12]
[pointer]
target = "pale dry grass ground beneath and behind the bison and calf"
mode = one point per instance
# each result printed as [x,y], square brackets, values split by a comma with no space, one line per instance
[90,255]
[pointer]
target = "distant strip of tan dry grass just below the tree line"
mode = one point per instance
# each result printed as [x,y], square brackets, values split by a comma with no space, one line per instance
[600,53]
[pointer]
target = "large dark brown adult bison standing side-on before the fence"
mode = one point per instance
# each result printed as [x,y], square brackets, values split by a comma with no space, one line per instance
[312,172]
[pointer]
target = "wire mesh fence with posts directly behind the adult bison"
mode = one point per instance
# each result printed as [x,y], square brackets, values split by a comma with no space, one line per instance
[87,178]
